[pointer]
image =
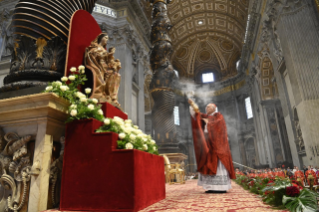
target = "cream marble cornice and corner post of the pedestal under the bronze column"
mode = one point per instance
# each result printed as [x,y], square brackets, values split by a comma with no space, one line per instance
[41,115]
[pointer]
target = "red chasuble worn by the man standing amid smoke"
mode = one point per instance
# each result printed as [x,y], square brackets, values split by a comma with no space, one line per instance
[214,146]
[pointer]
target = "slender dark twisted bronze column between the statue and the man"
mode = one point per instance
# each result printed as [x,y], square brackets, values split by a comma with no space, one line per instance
[164,79]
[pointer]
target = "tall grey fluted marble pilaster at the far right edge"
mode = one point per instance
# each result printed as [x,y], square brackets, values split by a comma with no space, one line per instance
[299,35]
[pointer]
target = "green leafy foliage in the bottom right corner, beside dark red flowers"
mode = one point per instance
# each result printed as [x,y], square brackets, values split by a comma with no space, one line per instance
[305,202]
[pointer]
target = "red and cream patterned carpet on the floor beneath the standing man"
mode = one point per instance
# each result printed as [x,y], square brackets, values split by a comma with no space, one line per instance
[190,197]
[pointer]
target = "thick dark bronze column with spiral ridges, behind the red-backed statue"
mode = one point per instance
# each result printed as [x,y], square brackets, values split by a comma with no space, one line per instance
[40,31]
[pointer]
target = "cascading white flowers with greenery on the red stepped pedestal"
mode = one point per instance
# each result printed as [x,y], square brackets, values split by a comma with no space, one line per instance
[81,107]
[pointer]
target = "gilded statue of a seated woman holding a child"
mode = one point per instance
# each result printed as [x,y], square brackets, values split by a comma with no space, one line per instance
[105,69]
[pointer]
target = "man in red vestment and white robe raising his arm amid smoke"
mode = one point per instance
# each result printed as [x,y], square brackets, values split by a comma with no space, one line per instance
[213,156]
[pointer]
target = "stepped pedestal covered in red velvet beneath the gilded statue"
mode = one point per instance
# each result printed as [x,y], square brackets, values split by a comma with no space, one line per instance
[98,177]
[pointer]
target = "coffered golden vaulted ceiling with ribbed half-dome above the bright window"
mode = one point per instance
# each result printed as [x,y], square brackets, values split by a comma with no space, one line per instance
[207,35]
